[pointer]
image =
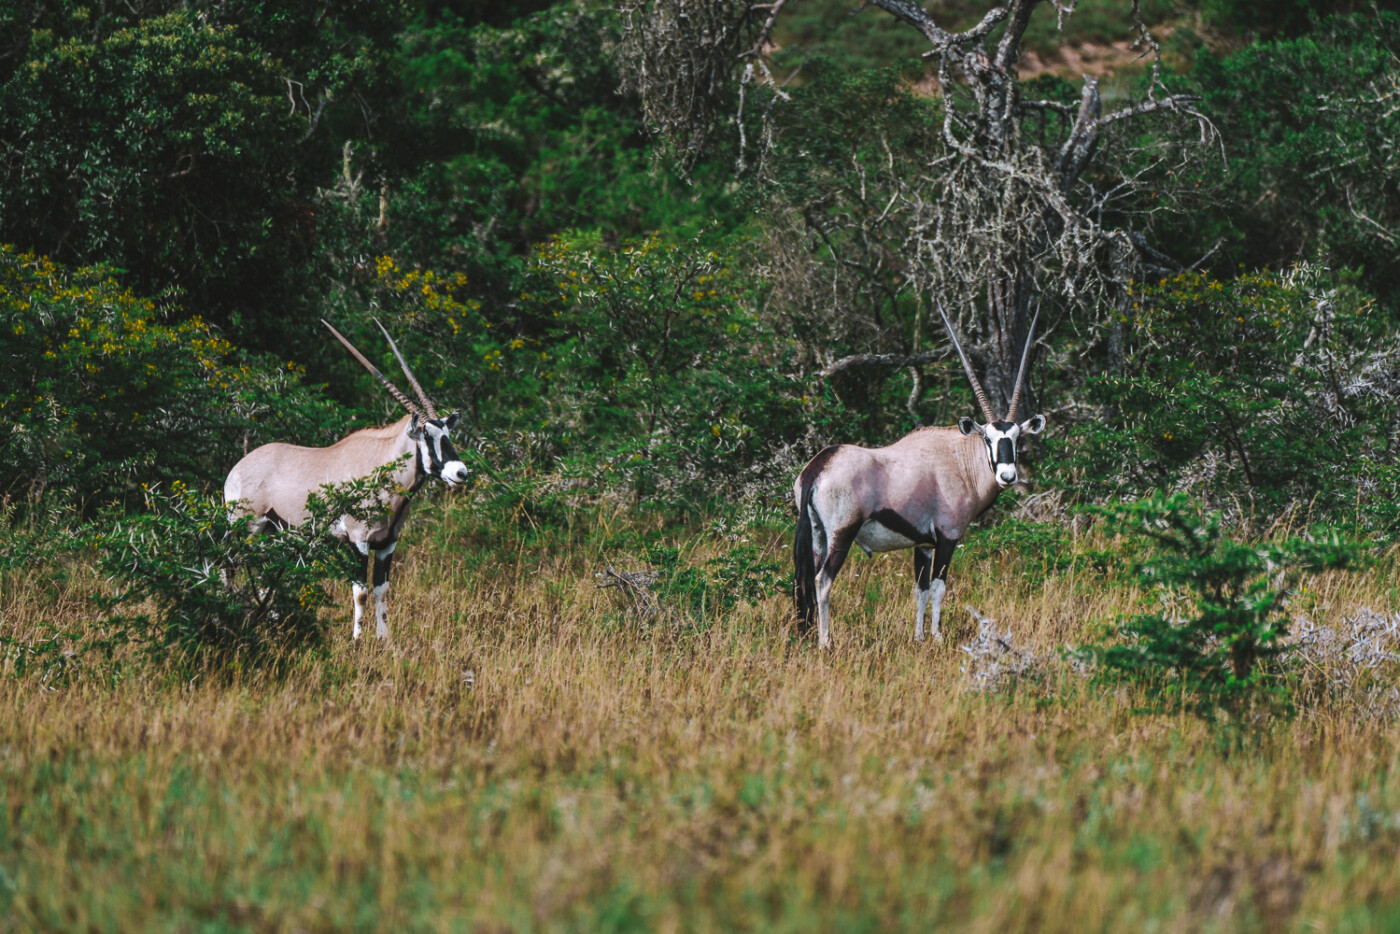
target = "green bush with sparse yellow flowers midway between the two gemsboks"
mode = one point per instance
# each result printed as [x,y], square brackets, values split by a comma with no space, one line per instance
[652,355]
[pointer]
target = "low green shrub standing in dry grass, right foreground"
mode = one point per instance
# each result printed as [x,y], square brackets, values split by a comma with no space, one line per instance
[1219,642]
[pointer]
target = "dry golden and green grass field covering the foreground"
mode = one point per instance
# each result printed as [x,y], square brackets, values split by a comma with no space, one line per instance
[527,755]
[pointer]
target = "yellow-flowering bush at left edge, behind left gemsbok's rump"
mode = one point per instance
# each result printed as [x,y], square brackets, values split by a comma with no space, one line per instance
[103,390]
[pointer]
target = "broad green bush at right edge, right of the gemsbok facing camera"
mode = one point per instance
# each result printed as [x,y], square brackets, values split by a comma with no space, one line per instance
[1261,393]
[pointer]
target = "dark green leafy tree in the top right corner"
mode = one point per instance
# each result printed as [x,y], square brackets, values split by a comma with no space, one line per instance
[1312,169]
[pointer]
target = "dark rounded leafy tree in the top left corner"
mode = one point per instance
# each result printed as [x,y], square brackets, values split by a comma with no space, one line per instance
[162,159]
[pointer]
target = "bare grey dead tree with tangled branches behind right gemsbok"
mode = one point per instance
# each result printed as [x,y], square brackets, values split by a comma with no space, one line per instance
[1009,201]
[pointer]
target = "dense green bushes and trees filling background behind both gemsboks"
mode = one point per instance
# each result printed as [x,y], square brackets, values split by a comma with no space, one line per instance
[220,179]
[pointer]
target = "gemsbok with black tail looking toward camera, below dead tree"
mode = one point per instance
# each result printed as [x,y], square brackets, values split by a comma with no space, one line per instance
[920,492]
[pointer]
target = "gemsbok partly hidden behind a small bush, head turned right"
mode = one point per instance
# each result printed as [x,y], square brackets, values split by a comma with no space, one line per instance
[274,482]
